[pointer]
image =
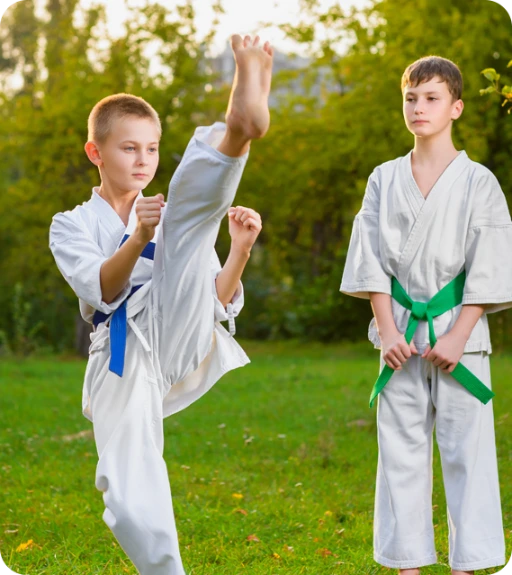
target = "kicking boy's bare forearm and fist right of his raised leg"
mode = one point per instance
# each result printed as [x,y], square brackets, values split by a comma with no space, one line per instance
[244,228]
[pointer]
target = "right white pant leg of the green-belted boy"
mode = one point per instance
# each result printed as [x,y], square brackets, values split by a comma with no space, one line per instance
[465,435]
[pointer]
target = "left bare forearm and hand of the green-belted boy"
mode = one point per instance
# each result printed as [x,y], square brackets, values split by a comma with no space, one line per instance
[395,349]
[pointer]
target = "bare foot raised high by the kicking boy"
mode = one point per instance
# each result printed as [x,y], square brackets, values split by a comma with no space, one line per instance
[248,115]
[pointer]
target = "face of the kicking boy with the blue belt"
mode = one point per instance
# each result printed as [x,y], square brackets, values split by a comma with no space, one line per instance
[129,156]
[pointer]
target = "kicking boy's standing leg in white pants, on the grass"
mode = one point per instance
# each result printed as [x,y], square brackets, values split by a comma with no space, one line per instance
[131,472]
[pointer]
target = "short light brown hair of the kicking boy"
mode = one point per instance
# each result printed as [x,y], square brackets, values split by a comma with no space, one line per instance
[117,106]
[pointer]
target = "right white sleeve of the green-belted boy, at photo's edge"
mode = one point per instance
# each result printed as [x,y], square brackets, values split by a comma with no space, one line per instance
[489,249]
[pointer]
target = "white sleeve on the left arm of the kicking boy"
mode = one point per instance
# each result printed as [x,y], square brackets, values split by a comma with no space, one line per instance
[79,259]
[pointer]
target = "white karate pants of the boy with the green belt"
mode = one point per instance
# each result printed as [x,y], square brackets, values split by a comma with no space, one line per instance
[413,400]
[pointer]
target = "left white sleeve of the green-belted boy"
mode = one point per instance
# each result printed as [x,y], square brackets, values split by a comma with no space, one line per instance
[363,272]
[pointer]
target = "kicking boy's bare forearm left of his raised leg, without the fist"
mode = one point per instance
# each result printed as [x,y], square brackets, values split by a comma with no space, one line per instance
[116,271]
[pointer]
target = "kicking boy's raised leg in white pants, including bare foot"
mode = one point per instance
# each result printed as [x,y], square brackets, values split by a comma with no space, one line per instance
[201,191]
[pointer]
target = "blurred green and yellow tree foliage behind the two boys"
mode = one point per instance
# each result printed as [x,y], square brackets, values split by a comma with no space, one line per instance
[342,118]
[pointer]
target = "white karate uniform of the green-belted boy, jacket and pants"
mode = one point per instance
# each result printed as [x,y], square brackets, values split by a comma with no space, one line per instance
[463,224]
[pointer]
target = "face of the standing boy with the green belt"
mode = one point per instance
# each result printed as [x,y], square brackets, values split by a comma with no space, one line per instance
[429,108]
